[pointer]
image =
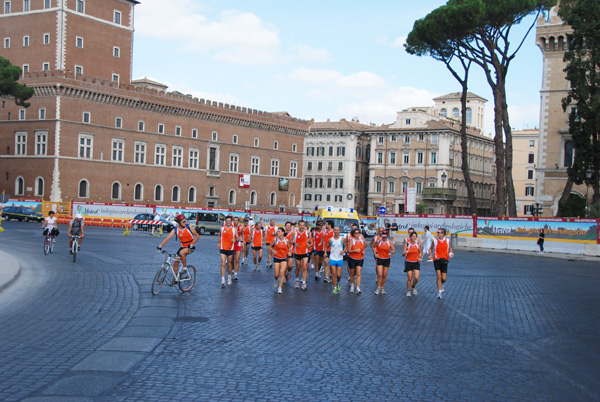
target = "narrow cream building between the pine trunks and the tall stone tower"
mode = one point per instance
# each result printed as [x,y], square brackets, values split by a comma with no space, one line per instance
[525,145]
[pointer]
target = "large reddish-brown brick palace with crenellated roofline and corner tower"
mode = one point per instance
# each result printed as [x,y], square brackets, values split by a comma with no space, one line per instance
[91,134]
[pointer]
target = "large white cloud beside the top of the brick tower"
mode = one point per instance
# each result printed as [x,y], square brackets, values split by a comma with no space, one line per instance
[235,36]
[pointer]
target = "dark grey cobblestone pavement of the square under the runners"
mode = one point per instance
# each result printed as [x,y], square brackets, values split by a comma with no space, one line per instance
[511,327]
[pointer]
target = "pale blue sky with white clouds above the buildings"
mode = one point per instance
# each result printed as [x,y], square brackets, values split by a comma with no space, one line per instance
[314,59]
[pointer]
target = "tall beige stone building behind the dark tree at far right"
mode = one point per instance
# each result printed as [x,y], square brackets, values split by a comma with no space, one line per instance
[555,150]
